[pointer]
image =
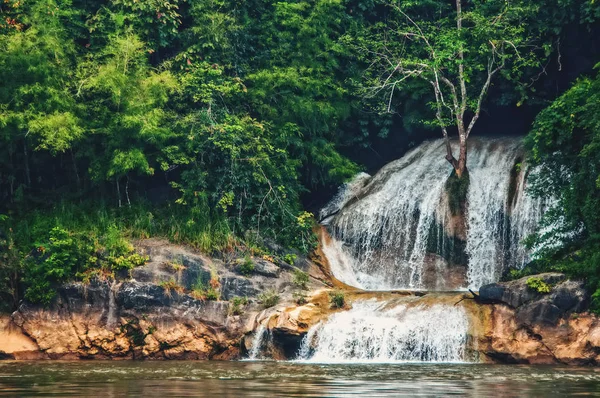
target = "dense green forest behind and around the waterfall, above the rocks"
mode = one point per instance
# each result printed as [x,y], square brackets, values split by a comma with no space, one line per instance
[226,124]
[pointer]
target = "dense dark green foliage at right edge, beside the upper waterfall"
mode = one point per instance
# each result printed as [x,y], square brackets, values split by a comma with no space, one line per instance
[565,143]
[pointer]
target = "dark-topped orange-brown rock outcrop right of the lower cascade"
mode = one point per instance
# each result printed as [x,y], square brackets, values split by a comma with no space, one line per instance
[526,326]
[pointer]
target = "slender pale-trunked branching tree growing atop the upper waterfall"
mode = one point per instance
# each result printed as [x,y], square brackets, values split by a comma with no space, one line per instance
[457,50]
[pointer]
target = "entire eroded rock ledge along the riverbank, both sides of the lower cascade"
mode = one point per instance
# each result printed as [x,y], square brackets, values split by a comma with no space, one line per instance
[138,318]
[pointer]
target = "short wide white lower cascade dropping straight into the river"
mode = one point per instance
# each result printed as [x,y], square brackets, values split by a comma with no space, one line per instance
[371,332]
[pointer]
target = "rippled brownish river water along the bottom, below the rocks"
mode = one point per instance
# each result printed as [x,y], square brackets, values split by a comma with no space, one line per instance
[289,379]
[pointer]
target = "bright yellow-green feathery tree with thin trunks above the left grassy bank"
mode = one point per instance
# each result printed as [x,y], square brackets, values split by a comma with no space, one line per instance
[127,101]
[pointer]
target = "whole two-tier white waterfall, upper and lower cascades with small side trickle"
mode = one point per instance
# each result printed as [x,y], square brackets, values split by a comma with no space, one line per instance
[402,228]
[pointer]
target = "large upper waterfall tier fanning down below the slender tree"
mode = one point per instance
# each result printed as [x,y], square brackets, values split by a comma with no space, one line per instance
[395,230]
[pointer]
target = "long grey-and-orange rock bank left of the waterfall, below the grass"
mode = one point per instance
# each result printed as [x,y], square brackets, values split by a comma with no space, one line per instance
[149,315]
